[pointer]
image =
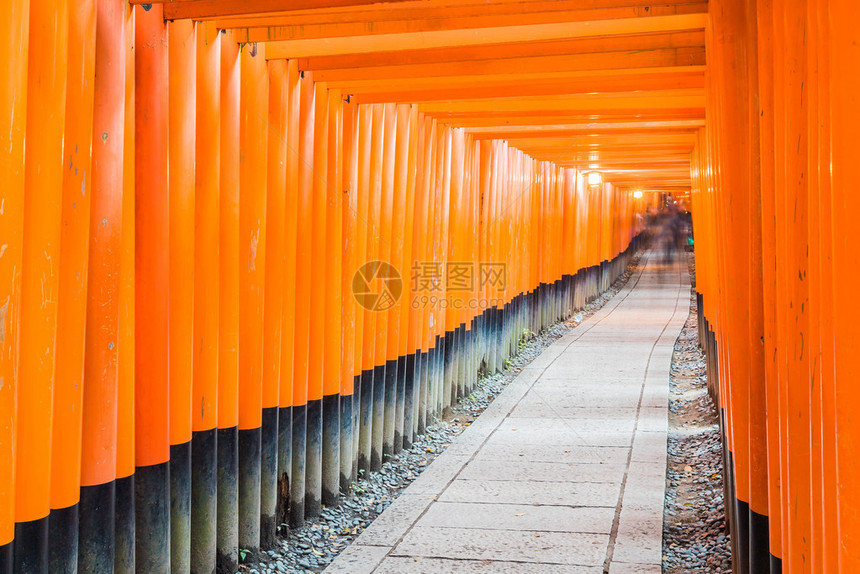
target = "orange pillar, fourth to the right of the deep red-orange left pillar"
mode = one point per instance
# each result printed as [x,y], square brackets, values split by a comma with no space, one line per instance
[253,113]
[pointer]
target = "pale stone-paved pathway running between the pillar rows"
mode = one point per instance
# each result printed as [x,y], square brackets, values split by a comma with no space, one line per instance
[565,471]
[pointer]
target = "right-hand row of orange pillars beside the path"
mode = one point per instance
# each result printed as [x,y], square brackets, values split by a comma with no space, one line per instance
[775,208]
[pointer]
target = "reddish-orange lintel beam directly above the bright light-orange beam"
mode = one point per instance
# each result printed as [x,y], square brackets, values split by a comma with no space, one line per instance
[266,29]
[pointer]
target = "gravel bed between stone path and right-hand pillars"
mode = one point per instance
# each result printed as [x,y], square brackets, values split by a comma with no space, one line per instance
[695,538]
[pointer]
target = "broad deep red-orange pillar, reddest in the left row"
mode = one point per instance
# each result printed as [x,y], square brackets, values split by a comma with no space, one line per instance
[152,453]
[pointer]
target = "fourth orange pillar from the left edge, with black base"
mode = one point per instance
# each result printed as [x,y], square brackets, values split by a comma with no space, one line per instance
[99,409]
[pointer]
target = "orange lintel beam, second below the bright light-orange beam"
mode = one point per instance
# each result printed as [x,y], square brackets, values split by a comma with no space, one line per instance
[690,56]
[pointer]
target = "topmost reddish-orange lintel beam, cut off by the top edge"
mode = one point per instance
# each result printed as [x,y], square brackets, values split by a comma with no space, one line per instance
[198,9]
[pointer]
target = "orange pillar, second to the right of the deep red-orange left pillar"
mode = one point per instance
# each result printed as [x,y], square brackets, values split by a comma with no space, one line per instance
[204,389]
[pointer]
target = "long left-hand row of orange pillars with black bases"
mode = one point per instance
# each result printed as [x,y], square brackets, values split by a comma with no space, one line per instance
[226,288]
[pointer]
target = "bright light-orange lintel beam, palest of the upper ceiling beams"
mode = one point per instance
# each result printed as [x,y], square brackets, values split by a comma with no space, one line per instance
[472,37]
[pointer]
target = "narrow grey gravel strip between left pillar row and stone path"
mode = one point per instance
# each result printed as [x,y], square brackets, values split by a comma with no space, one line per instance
[312,547]
